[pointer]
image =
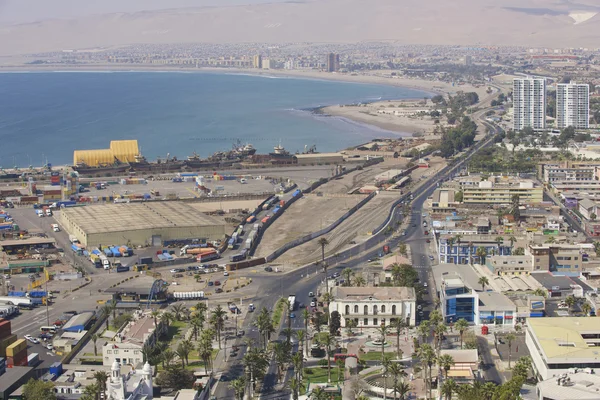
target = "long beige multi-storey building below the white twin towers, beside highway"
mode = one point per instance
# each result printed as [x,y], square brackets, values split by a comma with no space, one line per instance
[500,190]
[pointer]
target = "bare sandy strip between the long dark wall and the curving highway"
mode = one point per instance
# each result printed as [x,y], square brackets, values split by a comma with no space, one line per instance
[356,229]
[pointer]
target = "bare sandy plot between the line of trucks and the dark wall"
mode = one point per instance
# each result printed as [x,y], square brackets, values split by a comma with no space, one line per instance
[309,214]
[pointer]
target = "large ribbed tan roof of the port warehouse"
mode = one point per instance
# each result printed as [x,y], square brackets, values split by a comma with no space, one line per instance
[138,216]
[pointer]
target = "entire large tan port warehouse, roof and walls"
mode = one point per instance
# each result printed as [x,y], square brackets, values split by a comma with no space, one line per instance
[140,224]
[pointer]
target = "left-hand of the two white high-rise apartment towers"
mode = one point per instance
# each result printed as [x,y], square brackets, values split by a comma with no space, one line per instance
[529,103]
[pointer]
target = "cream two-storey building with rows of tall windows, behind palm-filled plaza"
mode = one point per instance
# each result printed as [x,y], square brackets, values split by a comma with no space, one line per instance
[374,306]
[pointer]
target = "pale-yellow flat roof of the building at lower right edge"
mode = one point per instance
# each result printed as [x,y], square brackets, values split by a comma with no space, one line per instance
[553,333]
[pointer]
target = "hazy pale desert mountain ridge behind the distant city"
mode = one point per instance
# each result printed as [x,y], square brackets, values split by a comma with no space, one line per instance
[514,22]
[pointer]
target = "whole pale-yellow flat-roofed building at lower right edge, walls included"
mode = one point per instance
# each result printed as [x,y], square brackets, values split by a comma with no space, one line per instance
[557,344]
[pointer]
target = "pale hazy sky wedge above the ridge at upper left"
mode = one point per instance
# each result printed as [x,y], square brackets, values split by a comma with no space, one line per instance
[34,10]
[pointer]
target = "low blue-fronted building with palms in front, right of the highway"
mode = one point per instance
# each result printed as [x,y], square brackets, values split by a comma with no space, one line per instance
[463,249]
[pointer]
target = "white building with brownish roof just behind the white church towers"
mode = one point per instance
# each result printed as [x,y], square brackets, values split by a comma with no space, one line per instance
[126,346]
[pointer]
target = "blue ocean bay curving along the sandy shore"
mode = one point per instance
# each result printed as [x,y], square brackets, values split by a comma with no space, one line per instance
[45,116]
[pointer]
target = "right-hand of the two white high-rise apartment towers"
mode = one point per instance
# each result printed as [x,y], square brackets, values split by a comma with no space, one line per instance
[573,105]
